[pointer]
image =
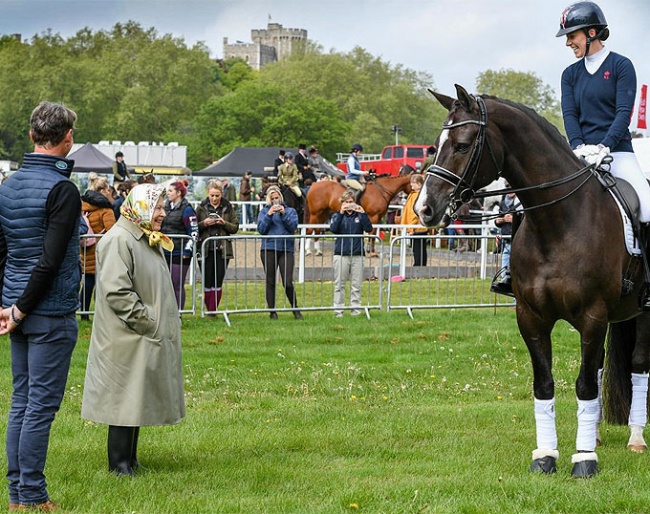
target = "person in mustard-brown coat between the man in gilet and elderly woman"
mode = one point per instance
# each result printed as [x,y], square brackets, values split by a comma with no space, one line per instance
[96,204]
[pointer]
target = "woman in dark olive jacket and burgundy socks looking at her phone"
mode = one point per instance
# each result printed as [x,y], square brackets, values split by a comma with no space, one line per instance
[217,217]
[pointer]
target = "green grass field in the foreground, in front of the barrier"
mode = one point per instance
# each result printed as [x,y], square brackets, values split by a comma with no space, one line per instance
[387,415]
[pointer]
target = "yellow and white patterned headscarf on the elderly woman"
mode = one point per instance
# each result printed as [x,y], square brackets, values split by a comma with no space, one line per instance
[138,209]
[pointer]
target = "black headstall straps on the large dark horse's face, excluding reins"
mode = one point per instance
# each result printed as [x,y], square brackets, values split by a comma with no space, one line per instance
[464,185]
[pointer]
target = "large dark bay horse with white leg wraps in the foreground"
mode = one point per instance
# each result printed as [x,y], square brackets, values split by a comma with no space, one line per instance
[569,261]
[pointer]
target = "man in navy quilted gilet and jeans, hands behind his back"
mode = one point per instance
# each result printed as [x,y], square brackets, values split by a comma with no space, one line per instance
[40,294]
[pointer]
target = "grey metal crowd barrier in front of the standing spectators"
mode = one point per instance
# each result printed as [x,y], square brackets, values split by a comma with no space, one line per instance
[451,279]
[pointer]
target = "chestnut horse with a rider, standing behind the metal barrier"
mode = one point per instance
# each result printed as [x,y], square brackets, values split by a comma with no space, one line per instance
[323,201]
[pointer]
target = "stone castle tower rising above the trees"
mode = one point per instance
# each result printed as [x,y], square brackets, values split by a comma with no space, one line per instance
[269,45]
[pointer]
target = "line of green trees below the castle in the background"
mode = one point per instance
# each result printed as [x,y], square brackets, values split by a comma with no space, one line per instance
[130,83]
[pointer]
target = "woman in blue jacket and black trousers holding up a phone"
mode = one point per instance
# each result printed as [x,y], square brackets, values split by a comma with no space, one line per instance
[278,219]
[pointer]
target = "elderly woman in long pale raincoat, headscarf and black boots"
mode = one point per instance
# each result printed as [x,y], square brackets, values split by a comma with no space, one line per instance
[134,376]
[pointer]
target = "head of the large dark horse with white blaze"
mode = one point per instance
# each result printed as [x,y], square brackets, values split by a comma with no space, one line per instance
[458,169]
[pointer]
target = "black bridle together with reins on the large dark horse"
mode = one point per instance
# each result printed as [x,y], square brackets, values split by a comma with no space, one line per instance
[464,192]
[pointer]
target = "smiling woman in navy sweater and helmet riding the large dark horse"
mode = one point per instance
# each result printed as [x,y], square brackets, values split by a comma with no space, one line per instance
[598,95]
